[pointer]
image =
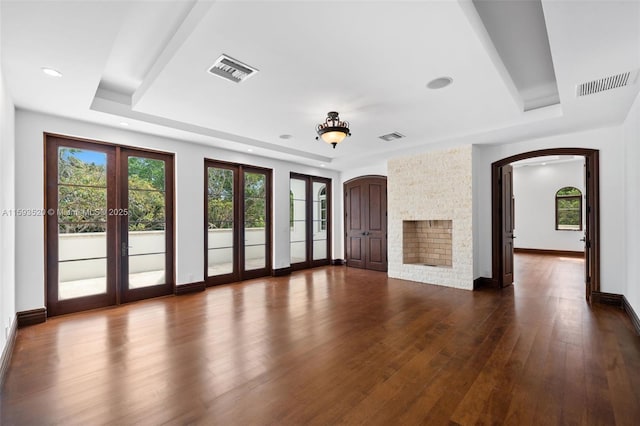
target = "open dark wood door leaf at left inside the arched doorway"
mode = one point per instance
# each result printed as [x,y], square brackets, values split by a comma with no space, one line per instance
[507,223]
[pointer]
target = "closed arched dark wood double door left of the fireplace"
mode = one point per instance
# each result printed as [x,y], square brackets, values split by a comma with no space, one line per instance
[366,223]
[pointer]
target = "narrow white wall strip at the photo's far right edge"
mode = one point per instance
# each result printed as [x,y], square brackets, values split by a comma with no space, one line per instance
[631,136]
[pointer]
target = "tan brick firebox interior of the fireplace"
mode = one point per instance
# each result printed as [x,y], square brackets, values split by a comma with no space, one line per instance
[427,242]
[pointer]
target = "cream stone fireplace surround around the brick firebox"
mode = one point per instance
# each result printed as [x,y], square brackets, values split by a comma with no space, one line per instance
[437,186]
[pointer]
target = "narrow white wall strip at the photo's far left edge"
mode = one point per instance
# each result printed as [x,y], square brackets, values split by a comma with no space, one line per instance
[7,221]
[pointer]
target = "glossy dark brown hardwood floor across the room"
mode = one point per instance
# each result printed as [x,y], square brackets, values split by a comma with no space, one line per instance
[337,345]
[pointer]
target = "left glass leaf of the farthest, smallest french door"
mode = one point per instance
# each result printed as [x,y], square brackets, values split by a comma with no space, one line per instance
[298,220]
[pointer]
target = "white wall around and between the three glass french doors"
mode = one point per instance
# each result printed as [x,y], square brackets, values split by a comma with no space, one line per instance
[189,175]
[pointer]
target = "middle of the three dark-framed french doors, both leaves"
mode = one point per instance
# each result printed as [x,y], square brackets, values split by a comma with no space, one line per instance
[237,222]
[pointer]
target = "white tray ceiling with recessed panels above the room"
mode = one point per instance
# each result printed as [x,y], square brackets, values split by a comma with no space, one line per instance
[145,63]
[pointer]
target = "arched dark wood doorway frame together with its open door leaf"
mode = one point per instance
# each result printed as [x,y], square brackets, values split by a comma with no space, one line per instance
[502,216]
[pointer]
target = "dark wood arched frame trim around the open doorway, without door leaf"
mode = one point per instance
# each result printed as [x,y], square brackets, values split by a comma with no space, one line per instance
[592,189]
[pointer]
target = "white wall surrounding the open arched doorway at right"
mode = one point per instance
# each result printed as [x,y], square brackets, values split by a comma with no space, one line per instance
[609,141]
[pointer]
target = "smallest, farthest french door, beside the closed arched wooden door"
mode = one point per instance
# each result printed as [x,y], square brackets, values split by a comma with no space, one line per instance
[310,221]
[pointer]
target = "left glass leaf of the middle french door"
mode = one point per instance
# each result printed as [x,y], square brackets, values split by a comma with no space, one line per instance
[220,221]
